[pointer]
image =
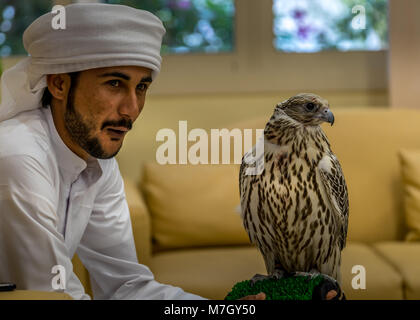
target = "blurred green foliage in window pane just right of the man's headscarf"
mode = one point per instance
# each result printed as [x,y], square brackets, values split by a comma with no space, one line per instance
[191,25]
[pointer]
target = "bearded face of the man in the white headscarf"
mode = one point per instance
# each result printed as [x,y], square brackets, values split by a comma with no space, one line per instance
[103,106]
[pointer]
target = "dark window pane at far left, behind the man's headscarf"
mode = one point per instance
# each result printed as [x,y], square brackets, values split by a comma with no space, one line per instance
[15,17]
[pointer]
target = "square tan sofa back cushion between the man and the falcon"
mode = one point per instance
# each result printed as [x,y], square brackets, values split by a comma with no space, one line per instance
[193,206]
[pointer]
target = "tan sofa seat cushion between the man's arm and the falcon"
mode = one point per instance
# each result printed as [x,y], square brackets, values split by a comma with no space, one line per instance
[211,272]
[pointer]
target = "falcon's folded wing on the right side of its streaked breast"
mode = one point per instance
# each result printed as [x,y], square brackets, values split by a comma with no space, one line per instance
[336,189]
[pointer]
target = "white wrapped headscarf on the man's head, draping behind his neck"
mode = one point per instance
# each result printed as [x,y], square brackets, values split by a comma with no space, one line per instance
[96,35]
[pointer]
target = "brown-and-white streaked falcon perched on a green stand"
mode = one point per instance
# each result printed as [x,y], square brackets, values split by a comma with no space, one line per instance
[296,210]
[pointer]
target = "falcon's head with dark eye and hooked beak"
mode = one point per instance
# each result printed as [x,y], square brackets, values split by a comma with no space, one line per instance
[307,109]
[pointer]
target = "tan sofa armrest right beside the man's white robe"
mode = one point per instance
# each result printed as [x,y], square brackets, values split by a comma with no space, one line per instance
[140,220]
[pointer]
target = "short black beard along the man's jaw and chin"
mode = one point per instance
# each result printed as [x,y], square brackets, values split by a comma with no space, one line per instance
[80,131]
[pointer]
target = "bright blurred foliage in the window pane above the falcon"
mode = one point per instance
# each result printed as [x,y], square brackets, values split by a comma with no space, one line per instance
[315,25]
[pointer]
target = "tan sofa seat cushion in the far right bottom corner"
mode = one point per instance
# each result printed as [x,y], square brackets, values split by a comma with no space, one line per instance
[405,258]
